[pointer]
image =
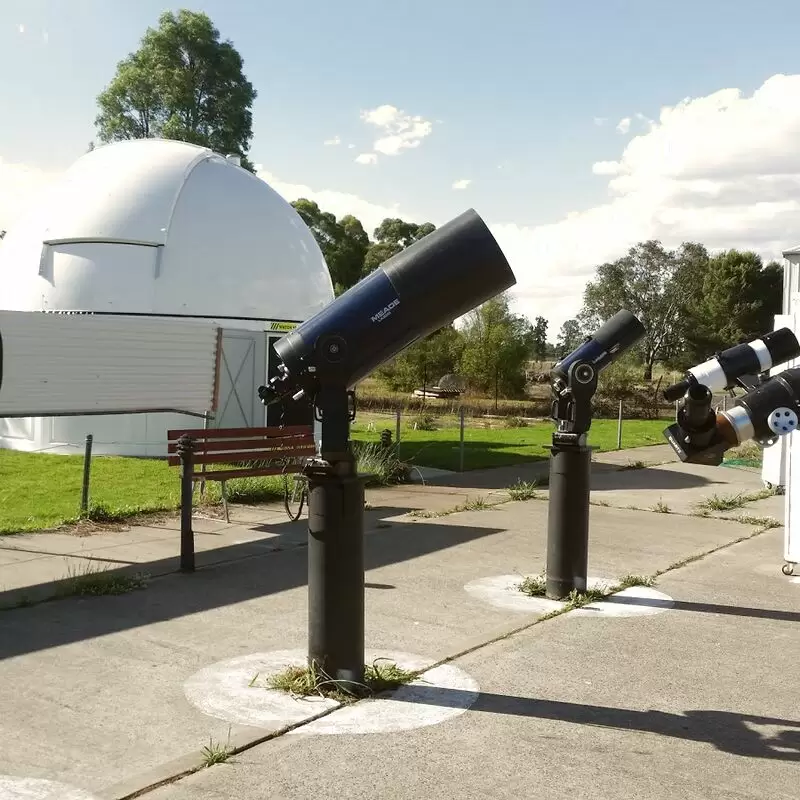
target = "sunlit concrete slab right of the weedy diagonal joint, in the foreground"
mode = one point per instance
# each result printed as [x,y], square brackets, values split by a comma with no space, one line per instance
[683,705]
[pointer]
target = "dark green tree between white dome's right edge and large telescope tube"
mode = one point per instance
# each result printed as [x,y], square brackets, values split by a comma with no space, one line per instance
[344,242]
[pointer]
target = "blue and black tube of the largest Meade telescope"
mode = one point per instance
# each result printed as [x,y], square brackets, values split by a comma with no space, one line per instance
[419,290]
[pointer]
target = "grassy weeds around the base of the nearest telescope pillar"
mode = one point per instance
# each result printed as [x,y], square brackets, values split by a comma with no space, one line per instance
[311,680]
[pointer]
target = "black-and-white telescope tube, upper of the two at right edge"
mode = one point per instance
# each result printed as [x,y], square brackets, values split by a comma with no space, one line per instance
[752,358]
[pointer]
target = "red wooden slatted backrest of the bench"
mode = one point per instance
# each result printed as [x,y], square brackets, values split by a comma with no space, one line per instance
[244,445]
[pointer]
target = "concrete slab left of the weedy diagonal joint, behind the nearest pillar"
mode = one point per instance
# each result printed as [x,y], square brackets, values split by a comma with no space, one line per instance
[82,678]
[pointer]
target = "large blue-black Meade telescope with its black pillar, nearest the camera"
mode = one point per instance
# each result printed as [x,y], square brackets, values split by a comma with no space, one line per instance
[428,285]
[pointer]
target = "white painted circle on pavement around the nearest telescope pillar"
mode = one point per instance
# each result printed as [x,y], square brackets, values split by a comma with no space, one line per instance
[230,691]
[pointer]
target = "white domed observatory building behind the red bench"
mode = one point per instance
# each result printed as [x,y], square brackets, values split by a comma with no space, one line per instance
[164,229]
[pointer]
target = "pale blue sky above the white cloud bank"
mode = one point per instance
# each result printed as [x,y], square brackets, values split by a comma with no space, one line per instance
[512,88]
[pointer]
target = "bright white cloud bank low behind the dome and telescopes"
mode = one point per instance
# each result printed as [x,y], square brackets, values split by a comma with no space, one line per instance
[723,170]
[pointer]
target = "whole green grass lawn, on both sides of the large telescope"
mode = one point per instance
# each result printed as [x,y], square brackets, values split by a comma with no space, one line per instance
[39,490]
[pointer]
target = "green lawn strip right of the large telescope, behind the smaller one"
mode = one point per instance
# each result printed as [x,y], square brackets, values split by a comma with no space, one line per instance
[499,447]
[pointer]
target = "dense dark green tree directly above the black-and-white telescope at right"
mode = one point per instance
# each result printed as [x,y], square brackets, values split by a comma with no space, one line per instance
[737,301]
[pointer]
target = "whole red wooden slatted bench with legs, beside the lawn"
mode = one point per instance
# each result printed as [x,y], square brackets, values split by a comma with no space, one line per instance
[243,453]
